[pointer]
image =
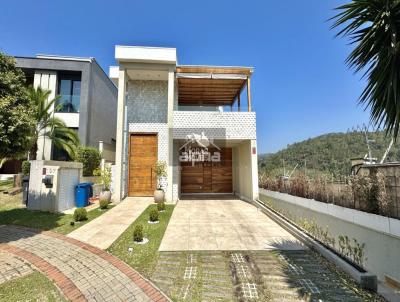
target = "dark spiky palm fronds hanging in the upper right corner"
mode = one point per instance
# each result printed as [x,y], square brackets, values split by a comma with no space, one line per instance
[373,26]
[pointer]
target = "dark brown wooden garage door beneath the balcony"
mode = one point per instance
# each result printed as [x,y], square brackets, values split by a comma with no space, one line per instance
[208,177]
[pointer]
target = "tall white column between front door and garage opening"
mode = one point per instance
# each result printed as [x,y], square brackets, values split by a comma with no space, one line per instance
[171,88]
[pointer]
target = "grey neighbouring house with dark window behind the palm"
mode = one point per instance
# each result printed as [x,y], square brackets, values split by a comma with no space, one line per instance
[88,99]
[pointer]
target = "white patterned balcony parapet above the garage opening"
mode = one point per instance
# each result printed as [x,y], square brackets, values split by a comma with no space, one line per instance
[215,124]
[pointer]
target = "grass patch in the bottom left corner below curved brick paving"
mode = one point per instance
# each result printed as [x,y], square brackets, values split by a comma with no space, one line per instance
[33,287]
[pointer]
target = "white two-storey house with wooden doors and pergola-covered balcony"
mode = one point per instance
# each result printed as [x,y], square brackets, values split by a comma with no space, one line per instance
[170,112]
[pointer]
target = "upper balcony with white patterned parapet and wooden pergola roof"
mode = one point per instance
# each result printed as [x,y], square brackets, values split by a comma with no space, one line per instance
[213,88]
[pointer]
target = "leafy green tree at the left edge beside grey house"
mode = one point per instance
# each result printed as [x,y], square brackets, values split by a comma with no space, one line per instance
[16,113]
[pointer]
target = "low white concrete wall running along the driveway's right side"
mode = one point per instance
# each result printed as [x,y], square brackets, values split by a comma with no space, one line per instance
[381,235]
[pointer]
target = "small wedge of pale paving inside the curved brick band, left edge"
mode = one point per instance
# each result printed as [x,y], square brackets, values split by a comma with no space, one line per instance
[12,267]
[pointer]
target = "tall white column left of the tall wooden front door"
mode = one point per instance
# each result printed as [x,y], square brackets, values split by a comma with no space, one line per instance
[119,149]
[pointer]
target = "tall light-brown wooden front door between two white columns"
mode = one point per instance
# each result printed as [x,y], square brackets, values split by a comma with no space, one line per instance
[142,158]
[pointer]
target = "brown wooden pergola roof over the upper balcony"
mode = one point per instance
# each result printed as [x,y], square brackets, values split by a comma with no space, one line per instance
[212,85]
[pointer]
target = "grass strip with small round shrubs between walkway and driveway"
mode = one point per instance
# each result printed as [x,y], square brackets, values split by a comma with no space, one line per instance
[144,257]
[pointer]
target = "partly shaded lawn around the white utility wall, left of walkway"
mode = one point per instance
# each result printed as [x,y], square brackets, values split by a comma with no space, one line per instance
[12,211]
